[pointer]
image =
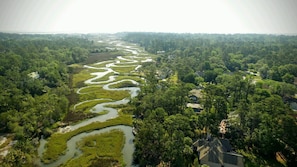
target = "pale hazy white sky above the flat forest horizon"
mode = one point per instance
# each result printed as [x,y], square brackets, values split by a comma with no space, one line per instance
[194,16]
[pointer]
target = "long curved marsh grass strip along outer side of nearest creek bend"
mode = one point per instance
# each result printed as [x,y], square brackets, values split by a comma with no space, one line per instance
[57,143]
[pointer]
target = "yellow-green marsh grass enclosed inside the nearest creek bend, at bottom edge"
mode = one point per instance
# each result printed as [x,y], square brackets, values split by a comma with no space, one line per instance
[106,145]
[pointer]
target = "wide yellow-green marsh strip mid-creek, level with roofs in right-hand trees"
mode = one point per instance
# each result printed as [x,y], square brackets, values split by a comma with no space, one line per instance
[97,92]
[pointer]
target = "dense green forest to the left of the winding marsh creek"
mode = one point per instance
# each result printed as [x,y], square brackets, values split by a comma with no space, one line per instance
[34,77]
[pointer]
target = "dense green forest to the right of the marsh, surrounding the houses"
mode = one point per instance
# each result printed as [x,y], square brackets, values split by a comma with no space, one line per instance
[250,80]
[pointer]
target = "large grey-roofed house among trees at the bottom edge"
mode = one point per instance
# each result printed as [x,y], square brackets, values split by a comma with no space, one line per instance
[217,153]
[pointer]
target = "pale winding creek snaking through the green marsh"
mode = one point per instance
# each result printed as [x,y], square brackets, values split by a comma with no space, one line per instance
[128,149]
